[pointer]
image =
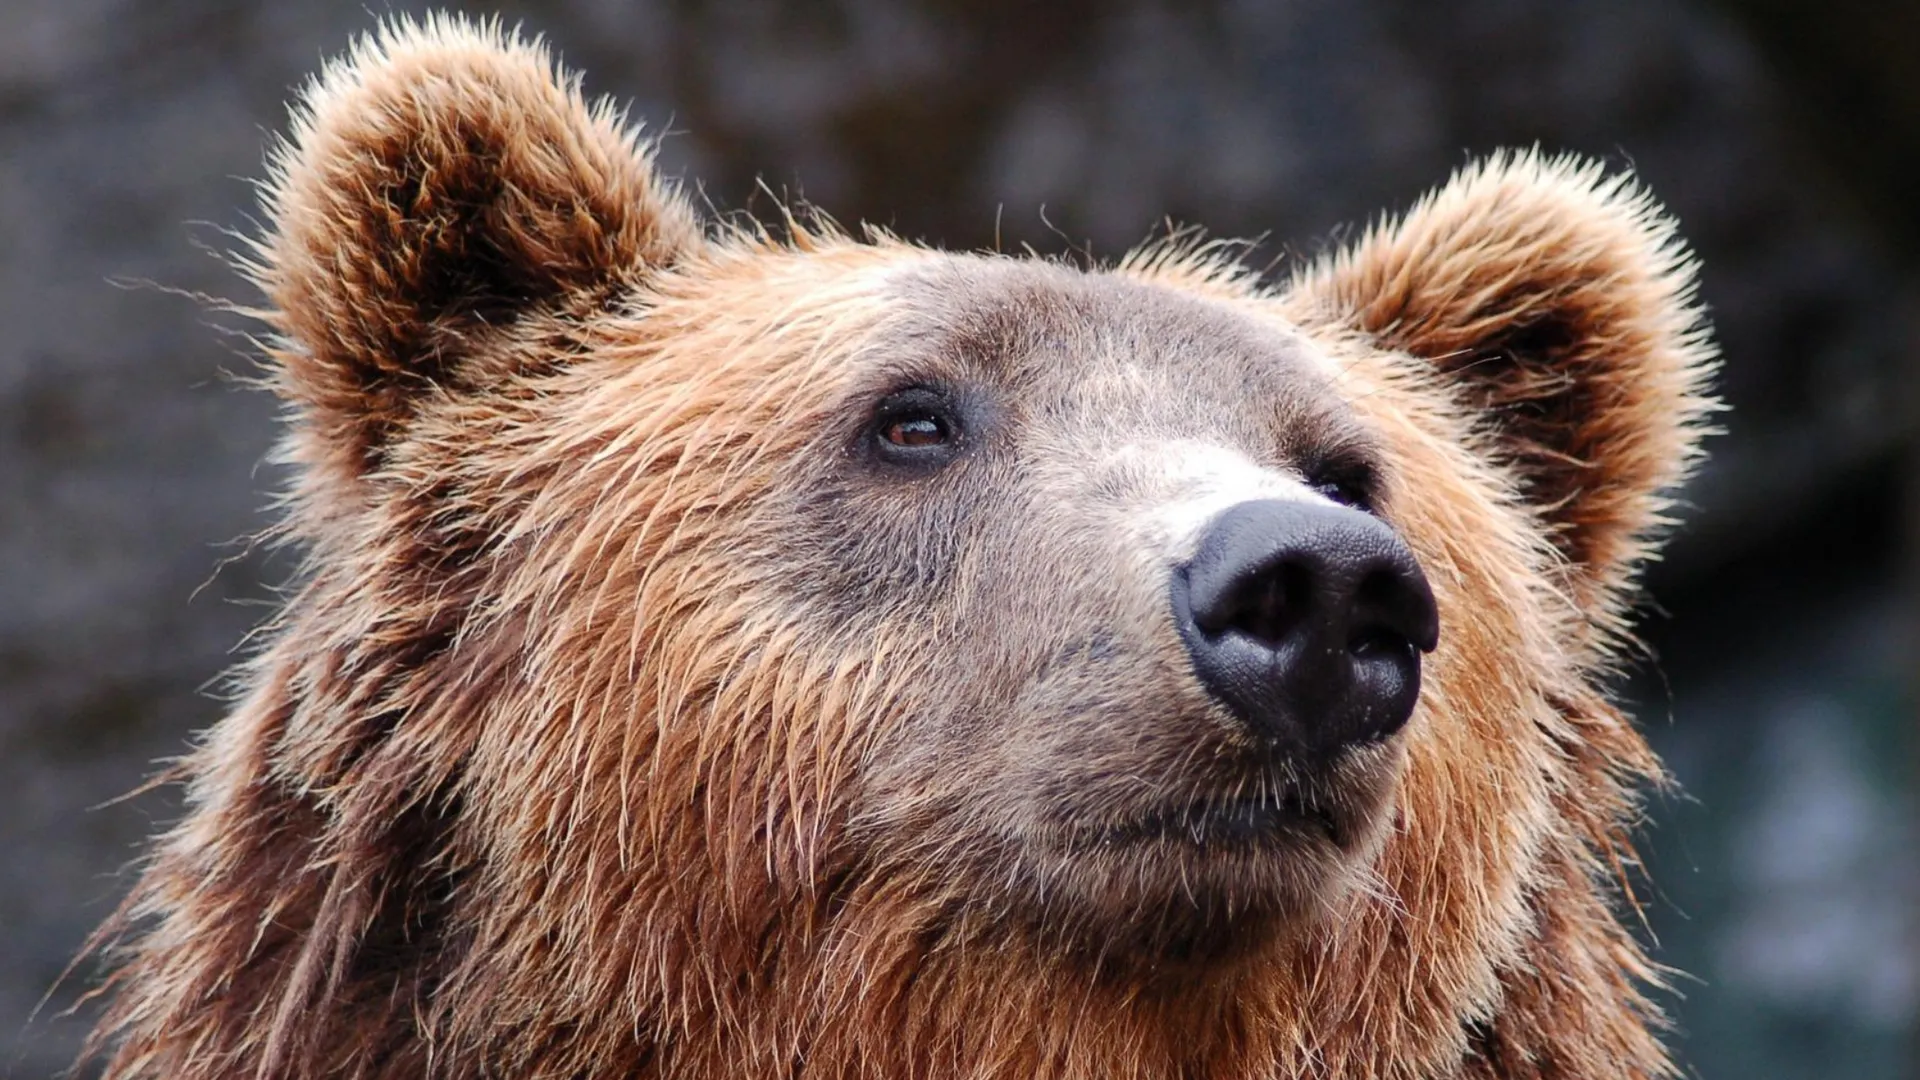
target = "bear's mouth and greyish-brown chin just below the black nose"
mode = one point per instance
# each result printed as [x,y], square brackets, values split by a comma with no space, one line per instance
[1259,850]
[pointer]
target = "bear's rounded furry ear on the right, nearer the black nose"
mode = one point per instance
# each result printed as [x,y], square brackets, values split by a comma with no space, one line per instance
[1562,307]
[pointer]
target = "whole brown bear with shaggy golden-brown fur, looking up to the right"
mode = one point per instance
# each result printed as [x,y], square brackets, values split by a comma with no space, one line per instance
[746,652]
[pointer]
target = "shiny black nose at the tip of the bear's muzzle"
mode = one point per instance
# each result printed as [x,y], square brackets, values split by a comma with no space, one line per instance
[1308,622]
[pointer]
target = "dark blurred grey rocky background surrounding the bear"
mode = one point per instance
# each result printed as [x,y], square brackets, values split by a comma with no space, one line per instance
[1785,135]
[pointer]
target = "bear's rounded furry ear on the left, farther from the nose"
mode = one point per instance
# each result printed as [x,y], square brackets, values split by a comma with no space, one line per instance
[441,184]
